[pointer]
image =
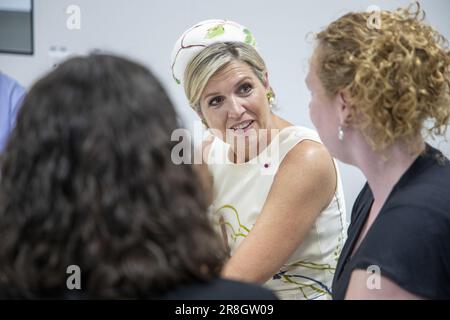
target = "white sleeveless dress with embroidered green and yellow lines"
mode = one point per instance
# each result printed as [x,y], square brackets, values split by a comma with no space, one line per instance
[240,191]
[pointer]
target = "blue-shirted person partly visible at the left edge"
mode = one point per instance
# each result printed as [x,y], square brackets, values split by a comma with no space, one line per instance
[11,95]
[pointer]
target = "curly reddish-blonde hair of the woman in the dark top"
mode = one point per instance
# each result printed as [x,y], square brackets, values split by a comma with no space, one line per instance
[396,76]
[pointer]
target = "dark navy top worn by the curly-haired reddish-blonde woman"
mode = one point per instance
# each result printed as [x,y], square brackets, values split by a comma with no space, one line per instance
[410,238]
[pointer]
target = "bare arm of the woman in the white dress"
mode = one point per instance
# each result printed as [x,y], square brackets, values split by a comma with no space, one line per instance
[303,186]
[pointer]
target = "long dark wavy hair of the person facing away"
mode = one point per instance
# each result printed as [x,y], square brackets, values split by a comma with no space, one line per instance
[87,179]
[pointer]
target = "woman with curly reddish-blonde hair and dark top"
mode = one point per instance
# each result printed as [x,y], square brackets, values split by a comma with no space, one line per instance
[375,90]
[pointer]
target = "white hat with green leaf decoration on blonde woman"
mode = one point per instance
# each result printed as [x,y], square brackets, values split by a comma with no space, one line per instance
[201,35]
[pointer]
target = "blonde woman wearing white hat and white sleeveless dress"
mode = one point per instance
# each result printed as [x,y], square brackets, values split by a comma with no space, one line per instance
[278,200]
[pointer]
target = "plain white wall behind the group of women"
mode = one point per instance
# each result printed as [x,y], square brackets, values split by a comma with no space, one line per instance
[147,30]
